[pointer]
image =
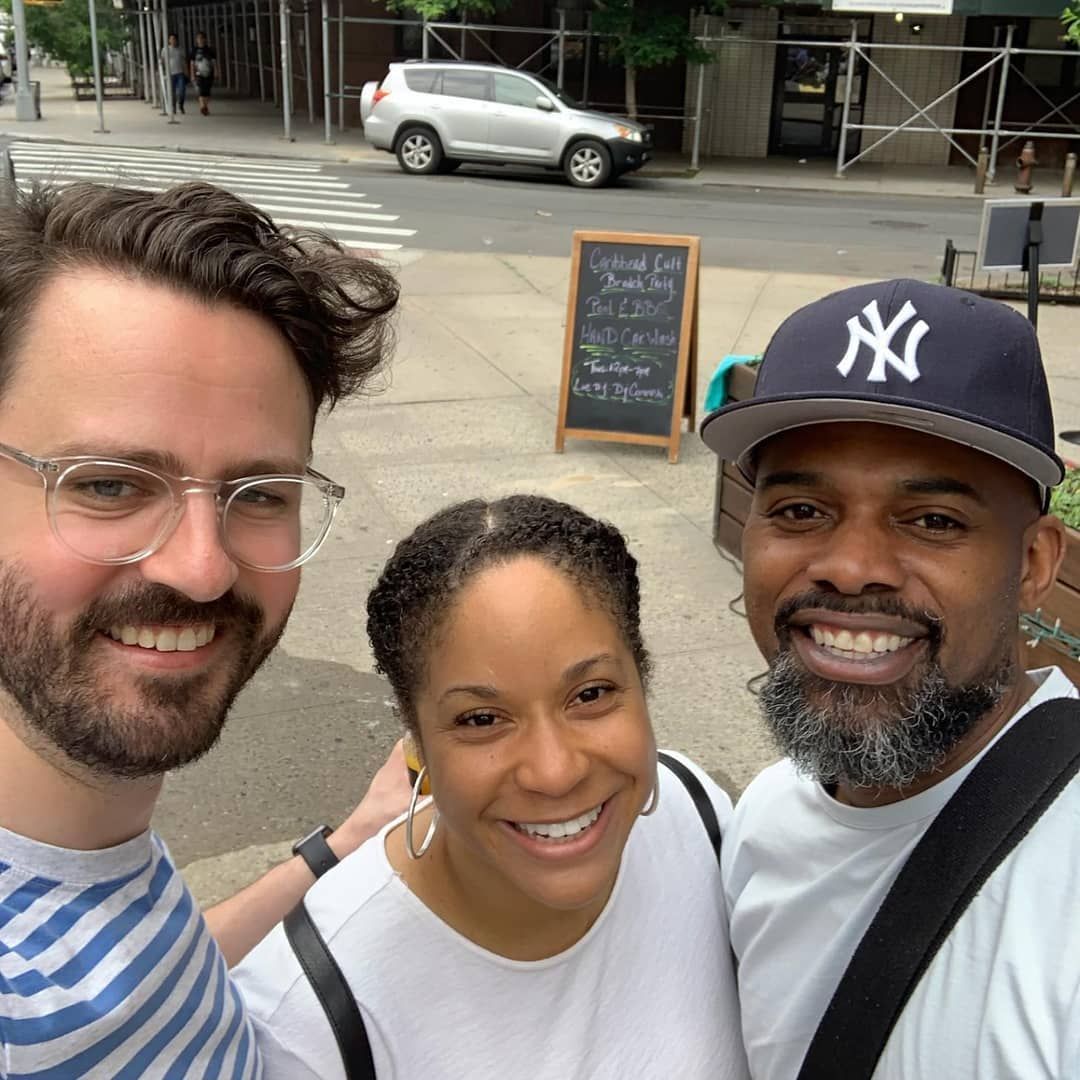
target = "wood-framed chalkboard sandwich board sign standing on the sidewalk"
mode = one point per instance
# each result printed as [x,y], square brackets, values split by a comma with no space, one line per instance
[631,353]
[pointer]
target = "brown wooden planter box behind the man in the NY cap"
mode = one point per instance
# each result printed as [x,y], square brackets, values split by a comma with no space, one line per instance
[733,507]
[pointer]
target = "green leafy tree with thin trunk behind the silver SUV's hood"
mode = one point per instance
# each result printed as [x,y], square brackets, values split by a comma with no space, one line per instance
[647,34]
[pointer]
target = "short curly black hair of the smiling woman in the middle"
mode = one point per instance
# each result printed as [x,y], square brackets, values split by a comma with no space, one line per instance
[418,585]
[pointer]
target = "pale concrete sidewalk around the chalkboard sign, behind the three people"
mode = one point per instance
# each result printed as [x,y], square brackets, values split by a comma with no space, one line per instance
[470,410]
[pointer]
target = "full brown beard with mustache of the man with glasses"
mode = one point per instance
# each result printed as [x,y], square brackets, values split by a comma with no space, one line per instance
[52,678]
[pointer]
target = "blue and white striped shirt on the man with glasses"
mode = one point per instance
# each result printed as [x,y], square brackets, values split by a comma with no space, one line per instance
[107,970]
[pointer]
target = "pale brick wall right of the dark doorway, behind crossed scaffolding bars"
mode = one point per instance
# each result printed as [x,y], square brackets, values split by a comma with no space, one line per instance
[924,76]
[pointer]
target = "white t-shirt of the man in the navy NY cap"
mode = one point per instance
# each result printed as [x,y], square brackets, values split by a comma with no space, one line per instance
[804,876]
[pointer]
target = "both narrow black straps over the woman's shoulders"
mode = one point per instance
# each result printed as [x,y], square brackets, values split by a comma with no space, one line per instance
[333,991]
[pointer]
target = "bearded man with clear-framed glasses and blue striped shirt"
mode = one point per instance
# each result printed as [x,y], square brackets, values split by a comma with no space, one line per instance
[156,506]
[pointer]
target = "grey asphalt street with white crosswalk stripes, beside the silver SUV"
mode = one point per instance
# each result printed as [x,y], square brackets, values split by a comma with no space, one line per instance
[373,207]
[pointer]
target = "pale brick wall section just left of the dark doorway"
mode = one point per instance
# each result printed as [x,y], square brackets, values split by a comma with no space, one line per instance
[738,92]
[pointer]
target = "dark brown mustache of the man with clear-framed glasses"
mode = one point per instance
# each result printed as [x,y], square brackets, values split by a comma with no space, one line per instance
[159,605]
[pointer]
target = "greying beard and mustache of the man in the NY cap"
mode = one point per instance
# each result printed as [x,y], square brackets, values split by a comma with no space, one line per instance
[876,736]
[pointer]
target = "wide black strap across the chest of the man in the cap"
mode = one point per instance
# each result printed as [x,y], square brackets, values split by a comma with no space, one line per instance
[990,814]
